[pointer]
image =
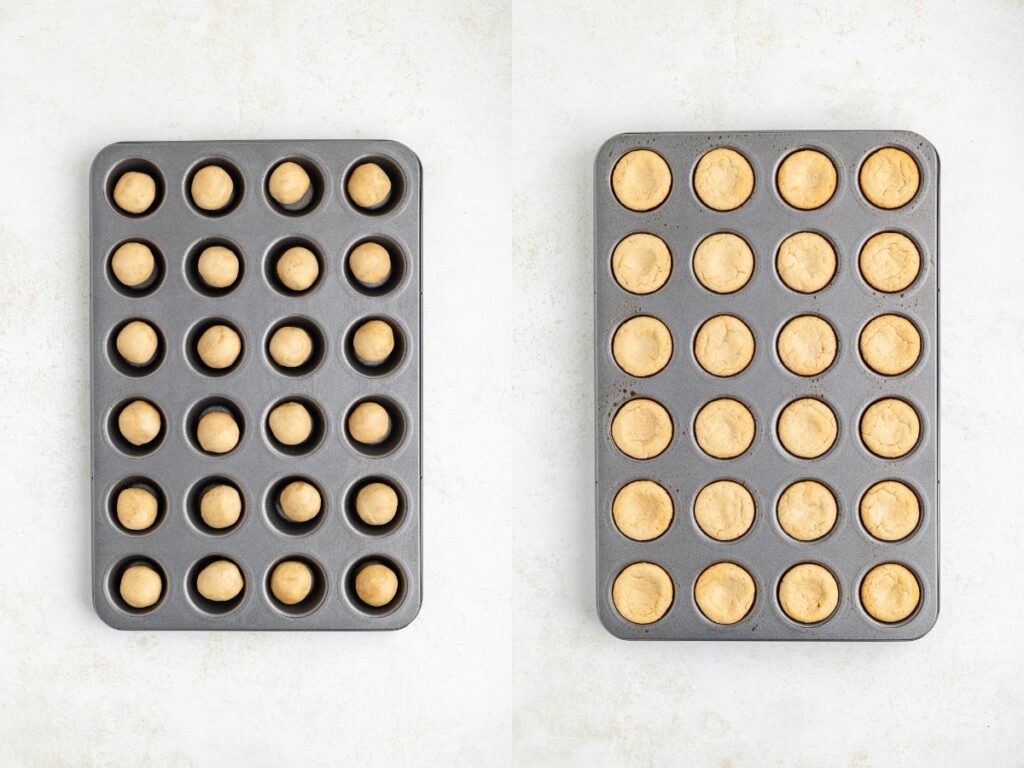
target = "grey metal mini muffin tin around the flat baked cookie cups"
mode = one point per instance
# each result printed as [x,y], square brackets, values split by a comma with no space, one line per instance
[766,470]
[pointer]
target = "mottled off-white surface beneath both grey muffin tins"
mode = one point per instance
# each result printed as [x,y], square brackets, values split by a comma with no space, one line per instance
[506,106]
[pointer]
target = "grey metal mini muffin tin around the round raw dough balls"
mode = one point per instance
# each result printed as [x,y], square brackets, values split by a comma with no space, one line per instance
[180,307]
